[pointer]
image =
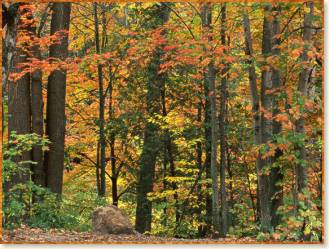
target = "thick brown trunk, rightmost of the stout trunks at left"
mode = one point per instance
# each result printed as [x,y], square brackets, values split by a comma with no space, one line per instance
[55,127]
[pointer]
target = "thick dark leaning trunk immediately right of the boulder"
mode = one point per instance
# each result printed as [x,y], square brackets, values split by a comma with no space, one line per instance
[151,138]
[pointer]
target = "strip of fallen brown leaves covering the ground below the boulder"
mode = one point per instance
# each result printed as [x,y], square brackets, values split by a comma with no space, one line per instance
[35,235]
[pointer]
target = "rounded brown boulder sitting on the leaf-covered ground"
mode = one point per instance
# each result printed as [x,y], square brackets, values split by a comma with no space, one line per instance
[111,220]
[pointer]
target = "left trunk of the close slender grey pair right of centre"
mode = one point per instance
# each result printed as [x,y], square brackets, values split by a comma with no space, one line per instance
[209,79]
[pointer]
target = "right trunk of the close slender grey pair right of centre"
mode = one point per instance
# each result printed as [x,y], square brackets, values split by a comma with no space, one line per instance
[222,131]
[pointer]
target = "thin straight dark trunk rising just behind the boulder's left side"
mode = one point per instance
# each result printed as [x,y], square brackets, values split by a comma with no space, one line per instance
[102,189]
